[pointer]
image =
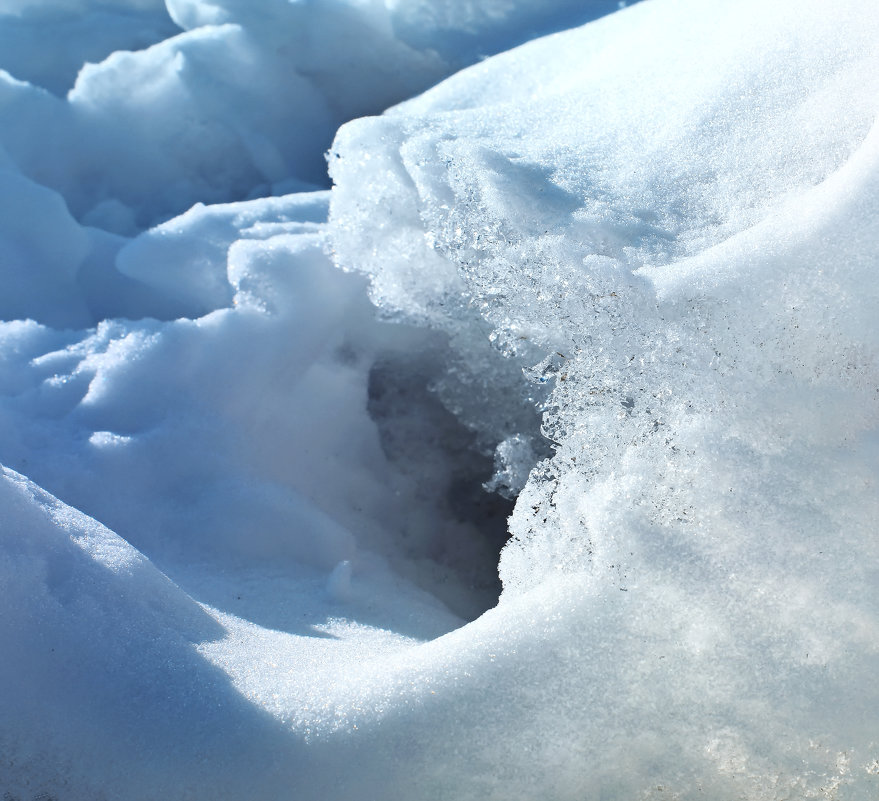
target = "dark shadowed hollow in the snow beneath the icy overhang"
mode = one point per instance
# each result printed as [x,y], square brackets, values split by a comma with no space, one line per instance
[450,540]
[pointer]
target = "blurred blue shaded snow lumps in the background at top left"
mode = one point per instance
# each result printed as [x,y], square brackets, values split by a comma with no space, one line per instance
[242,103]
